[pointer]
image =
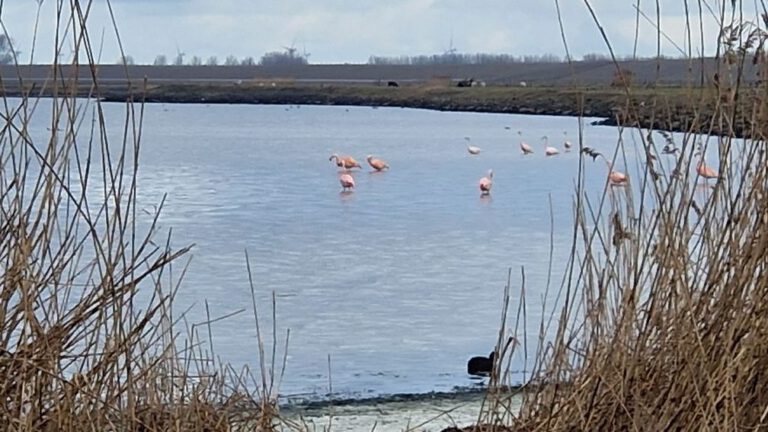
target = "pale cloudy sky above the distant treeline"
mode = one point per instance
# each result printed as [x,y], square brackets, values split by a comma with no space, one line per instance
[350,31]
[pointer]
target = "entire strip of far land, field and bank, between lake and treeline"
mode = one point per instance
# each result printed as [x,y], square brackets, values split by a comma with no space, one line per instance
[666,94]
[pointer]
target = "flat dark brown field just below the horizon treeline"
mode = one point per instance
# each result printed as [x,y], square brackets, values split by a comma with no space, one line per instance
[669,72]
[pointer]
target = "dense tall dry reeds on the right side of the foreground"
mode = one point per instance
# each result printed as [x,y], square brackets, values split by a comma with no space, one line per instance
[664,324]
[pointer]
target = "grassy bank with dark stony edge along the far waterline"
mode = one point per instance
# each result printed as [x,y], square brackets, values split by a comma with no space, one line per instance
[668,108]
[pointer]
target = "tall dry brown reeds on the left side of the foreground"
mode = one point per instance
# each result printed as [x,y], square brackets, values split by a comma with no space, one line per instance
[88,336]
